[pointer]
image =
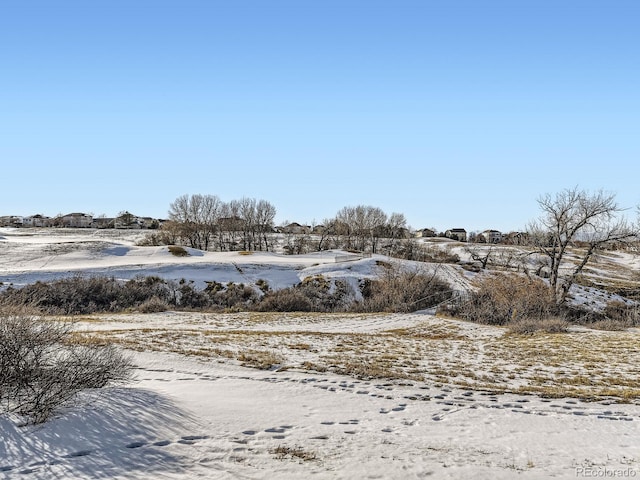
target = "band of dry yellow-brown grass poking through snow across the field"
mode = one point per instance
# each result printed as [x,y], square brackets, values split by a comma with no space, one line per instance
[586,364]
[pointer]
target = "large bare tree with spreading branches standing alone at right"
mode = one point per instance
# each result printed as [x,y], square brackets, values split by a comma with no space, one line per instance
[570,216]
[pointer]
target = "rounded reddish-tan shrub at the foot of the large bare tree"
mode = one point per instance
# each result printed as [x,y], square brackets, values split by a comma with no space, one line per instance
[501,299]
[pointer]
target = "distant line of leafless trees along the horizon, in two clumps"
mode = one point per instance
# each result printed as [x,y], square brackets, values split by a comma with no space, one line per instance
[205,222]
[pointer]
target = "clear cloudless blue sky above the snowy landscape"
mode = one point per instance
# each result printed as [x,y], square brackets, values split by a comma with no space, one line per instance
[455,113]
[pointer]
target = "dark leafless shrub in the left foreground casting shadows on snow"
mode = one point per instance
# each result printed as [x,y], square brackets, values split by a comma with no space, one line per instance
[41,369]
